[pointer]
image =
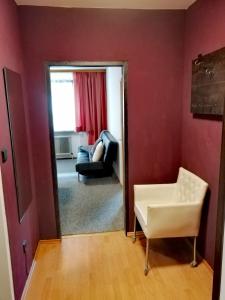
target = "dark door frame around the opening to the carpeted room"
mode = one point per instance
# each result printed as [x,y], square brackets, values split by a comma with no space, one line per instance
[124,65]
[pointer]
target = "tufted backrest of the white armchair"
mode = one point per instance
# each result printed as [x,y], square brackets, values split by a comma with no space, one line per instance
[190,187]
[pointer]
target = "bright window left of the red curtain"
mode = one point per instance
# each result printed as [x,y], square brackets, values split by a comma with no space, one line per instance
[63,104]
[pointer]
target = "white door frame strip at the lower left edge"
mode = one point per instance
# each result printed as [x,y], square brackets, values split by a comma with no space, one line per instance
[6,281]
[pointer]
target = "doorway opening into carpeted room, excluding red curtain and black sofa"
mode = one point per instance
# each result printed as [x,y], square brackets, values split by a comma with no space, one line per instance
[86,204]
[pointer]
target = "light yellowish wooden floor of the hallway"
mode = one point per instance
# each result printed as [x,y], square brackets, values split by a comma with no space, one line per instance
[109,266]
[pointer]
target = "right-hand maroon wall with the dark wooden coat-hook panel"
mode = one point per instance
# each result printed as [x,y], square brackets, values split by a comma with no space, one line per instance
[201,138]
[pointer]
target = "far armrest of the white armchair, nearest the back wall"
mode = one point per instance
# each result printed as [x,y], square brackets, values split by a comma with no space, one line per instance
[155,192]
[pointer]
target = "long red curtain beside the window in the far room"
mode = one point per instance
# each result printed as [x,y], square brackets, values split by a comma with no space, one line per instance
[90,103]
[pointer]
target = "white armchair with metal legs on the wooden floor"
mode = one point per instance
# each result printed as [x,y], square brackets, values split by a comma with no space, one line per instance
[170,210]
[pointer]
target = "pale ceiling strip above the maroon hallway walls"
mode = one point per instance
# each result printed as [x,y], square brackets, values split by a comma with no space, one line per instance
[128,4]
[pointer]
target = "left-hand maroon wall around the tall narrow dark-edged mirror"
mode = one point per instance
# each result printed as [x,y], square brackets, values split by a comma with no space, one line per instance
[11,57]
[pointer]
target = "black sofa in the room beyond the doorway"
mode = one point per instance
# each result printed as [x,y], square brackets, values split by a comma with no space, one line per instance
[86,167]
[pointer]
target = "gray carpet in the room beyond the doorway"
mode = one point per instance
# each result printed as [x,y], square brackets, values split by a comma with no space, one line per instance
[93,205]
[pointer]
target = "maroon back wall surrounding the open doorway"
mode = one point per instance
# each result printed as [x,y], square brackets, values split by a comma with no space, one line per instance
[152,43]
